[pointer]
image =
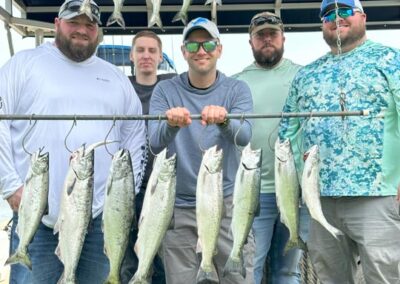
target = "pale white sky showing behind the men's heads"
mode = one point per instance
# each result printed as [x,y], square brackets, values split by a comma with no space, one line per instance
[300,47]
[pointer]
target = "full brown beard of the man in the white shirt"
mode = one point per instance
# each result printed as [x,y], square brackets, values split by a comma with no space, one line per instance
[77,53]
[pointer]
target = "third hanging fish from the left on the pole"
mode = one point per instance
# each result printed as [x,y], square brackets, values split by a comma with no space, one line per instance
[119,212]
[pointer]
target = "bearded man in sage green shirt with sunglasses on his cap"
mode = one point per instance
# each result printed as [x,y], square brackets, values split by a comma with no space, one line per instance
[269,79]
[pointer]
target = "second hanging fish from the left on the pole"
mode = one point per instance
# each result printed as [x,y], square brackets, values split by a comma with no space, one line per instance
[75,210]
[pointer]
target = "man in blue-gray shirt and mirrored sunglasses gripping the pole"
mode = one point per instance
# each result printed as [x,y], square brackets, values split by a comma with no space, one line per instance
[203,90]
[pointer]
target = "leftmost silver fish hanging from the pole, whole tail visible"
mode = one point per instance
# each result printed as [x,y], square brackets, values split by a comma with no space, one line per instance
[34,202]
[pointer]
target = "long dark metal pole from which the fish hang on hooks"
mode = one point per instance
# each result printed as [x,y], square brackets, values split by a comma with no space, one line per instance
[193,116]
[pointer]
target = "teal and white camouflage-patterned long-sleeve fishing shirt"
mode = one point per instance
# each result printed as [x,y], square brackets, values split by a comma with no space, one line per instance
[360,155]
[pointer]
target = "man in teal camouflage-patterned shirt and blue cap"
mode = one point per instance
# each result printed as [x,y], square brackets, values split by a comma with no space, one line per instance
[359,156]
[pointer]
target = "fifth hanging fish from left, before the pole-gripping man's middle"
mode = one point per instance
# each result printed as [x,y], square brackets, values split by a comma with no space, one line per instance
[209,208]
